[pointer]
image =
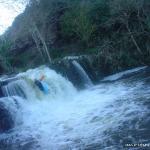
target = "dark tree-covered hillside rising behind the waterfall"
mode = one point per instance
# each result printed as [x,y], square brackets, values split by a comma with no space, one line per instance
[117,30]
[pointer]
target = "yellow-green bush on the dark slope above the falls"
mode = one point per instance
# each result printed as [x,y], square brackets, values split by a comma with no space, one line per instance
[76,24]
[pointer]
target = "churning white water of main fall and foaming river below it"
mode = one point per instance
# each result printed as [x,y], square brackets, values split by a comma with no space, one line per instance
[99,117]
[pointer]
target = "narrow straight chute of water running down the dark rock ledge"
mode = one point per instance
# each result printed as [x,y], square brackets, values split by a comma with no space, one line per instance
[82,73]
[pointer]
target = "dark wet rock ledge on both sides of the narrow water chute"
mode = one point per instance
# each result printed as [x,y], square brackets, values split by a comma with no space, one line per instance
[66,67]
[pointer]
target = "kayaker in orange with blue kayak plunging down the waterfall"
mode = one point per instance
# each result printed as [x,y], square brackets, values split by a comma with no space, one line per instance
[42,85]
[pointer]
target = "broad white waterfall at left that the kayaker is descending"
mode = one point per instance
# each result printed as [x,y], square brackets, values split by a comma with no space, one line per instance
[25,86]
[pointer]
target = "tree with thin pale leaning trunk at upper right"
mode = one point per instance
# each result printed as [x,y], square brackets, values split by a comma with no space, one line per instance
[123,11]
